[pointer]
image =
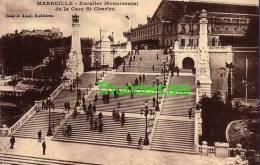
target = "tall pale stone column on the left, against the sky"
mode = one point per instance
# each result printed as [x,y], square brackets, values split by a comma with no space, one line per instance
[74,63]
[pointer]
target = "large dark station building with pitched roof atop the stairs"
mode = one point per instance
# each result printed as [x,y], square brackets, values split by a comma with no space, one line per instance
[228,24]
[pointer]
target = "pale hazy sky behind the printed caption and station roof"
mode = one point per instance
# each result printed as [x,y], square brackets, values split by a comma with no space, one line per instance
[90,21]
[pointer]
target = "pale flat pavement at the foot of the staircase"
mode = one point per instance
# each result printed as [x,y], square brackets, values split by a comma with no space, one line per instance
[104,155]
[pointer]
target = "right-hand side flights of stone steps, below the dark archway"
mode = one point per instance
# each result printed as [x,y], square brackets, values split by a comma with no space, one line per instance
[174,131]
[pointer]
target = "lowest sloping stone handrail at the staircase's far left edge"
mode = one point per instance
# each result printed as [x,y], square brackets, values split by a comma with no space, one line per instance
[23,119]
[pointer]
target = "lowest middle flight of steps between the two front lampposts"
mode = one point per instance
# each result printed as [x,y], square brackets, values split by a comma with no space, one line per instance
[113,133]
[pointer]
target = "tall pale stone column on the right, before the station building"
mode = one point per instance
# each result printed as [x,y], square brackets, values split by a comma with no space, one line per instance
[203,68]
